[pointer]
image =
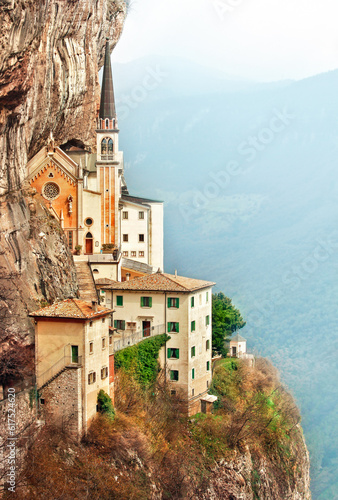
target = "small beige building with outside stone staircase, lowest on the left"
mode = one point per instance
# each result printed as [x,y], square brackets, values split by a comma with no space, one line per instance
[74,361]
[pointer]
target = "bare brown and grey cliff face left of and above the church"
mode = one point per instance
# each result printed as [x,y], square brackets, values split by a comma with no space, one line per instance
[50,55]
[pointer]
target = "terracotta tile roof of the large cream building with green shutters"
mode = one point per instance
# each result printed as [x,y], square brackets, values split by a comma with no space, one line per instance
[160,282]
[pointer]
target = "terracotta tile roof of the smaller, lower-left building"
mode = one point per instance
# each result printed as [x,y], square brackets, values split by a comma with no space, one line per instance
[71,308]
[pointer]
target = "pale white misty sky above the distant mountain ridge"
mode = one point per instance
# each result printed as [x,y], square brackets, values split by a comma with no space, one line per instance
[255,39]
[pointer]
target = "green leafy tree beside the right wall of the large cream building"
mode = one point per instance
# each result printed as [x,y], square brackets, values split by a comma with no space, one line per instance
[226,319]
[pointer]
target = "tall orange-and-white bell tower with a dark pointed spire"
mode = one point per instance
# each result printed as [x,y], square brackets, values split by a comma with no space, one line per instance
[109,162]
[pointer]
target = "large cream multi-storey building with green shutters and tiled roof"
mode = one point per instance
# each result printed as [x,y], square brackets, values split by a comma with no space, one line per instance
[163,303]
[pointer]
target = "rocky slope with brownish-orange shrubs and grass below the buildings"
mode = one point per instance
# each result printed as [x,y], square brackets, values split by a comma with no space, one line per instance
[251,445]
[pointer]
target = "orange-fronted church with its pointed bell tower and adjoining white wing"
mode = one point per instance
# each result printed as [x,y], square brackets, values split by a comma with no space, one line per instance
[86,192]
